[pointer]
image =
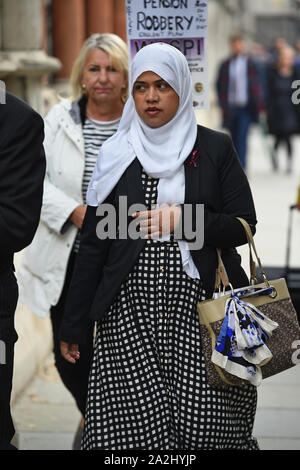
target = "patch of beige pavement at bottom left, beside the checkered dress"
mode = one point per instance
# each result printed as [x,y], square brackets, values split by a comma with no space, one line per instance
[45,415]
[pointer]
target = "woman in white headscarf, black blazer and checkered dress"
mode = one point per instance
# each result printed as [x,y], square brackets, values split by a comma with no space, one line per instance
[147,386]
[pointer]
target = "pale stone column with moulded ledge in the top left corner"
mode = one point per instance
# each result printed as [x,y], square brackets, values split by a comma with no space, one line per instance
[23,62]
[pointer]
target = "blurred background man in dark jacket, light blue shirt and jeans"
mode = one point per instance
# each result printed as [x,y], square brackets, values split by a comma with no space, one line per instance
[240,95]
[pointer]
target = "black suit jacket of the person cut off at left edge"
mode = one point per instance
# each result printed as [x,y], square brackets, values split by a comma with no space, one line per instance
[22,171]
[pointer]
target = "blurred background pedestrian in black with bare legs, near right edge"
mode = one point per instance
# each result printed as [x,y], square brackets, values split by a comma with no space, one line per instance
[283,116]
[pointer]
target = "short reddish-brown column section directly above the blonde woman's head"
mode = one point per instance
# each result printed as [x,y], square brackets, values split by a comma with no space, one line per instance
[100,16]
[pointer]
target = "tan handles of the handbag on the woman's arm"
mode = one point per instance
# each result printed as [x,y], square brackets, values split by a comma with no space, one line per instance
[221,274]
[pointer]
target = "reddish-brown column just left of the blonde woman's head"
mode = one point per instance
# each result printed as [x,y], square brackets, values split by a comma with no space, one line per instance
[68,32]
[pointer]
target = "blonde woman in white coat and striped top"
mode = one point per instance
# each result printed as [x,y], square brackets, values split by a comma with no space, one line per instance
[74,132]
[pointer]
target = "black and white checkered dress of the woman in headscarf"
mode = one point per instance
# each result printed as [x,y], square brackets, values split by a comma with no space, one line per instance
[147,386]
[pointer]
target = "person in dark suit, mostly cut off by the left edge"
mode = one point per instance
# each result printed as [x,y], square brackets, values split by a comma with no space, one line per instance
[22,171]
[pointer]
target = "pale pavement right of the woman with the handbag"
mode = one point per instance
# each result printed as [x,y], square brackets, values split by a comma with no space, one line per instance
[277,423]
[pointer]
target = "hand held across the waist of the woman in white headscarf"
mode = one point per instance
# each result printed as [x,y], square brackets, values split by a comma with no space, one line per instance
[159,222]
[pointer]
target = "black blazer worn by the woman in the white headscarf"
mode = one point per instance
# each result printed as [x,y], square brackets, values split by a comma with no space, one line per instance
[214,178]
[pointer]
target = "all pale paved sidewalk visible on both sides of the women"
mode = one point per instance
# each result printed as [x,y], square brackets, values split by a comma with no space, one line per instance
[45,415]
